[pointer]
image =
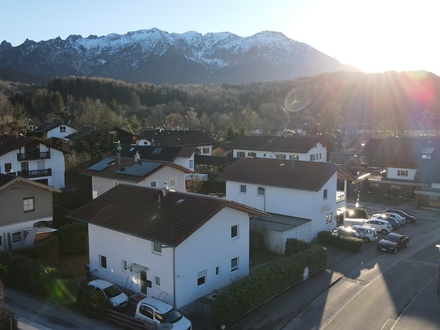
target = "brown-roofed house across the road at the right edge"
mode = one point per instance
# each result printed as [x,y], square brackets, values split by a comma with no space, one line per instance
[405,167]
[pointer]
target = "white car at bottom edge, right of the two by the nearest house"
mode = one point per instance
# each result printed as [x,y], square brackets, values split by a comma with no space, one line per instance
[155,312]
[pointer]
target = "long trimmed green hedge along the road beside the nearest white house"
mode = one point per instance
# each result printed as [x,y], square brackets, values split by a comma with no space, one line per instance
[263,284]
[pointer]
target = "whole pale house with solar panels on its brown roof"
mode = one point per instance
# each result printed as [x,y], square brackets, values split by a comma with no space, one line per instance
[112,171]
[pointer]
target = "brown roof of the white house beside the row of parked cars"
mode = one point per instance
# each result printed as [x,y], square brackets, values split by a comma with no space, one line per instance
[301,175]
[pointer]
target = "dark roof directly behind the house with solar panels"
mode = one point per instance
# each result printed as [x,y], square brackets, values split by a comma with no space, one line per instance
[155,153]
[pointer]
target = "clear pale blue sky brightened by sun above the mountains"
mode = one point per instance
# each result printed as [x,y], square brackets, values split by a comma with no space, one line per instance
[373,35]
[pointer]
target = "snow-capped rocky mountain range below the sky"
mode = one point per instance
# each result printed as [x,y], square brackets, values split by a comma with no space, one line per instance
[159,57]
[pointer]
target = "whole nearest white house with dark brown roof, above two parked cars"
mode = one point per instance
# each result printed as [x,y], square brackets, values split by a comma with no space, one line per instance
[173,245]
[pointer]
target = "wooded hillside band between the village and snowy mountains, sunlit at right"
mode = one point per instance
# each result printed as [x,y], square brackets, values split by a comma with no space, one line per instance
[389,103]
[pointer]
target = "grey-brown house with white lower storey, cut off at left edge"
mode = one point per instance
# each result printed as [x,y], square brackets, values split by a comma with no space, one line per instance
[26,208]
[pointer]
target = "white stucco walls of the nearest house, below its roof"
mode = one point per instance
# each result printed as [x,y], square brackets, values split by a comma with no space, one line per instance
[210,247]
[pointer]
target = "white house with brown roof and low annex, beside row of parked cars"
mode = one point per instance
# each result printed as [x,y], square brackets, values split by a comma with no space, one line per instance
[298,190]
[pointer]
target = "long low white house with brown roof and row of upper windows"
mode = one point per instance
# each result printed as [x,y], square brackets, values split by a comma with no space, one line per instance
[292,147]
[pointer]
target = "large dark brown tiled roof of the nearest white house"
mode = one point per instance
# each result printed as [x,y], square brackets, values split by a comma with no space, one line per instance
[135,210]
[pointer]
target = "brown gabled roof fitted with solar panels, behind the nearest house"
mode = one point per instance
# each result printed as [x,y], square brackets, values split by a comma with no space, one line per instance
[127,169]
